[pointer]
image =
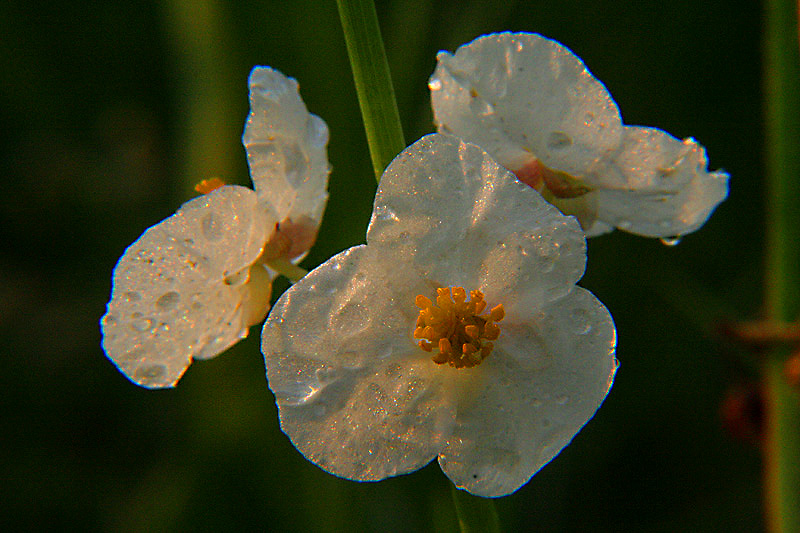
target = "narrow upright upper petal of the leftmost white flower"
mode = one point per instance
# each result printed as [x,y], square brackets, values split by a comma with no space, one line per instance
[286,148]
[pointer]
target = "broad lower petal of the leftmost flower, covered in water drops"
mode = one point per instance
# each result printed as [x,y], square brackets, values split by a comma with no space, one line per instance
[178,290]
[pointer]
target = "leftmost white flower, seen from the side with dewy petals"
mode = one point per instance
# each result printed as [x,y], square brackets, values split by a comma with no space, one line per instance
[192,285]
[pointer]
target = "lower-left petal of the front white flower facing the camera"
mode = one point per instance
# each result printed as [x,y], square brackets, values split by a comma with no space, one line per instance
[356,396]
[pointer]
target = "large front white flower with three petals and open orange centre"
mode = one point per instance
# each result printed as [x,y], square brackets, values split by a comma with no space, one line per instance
[373,379]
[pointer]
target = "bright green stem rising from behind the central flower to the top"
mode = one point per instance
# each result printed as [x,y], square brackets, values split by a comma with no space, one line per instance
[373,81]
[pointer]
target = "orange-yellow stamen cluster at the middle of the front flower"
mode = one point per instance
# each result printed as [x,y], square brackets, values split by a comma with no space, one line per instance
[456,326]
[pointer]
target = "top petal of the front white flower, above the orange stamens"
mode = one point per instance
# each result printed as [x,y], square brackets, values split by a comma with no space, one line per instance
[449,209]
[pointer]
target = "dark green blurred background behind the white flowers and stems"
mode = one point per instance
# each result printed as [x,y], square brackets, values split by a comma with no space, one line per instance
[111,111]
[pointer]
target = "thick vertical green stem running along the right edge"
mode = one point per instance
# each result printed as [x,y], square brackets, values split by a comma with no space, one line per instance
[782,404]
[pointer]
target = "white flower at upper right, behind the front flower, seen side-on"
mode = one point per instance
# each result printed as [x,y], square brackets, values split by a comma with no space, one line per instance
[533,104]
